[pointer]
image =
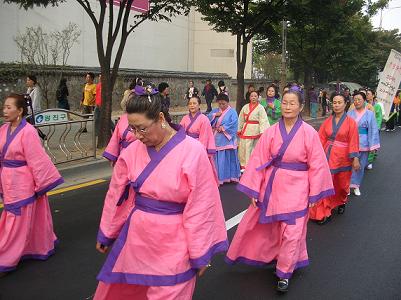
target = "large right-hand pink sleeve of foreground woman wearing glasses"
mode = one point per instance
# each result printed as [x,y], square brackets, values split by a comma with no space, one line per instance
[203,218]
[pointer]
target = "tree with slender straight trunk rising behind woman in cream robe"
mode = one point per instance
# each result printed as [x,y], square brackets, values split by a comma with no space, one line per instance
[243,19]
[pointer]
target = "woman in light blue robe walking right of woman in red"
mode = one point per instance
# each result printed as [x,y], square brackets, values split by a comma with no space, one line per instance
[368,137]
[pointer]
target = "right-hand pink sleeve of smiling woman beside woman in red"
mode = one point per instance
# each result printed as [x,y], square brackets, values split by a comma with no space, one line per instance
[320,181]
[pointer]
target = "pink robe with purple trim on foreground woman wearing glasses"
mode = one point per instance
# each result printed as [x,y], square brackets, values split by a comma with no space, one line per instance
[164,218]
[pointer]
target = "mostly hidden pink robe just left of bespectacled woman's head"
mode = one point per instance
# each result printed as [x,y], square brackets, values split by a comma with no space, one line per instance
[120,139]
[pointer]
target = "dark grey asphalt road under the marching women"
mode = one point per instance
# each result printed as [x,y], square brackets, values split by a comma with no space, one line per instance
[355,256]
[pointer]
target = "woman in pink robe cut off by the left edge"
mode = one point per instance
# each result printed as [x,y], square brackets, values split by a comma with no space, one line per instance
[27,174]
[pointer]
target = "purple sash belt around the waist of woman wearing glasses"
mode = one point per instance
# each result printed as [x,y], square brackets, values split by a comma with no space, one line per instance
[158,207]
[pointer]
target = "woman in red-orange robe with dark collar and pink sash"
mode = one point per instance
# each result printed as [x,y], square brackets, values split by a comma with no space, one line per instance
[339,137]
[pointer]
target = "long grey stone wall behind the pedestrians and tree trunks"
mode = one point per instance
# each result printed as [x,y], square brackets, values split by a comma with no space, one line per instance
[13,78]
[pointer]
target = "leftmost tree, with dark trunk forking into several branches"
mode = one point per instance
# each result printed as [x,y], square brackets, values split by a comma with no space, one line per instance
[113,25]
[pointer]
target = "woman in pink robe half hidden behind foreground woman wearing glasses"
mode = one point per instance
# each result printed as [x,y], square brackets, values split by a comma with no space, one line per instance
[198,126]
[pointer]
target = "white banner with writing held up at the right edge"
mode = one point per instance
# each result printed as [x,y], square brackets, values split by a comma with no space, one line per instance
[389,82]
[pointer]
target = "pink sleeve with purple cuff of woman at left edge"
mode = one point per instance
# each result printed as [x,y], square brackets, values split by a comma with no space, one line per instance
[45,174]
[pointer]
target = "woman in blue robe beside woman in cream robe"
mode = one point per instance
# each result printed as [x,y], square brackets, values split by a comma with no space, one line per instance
[224,121]
